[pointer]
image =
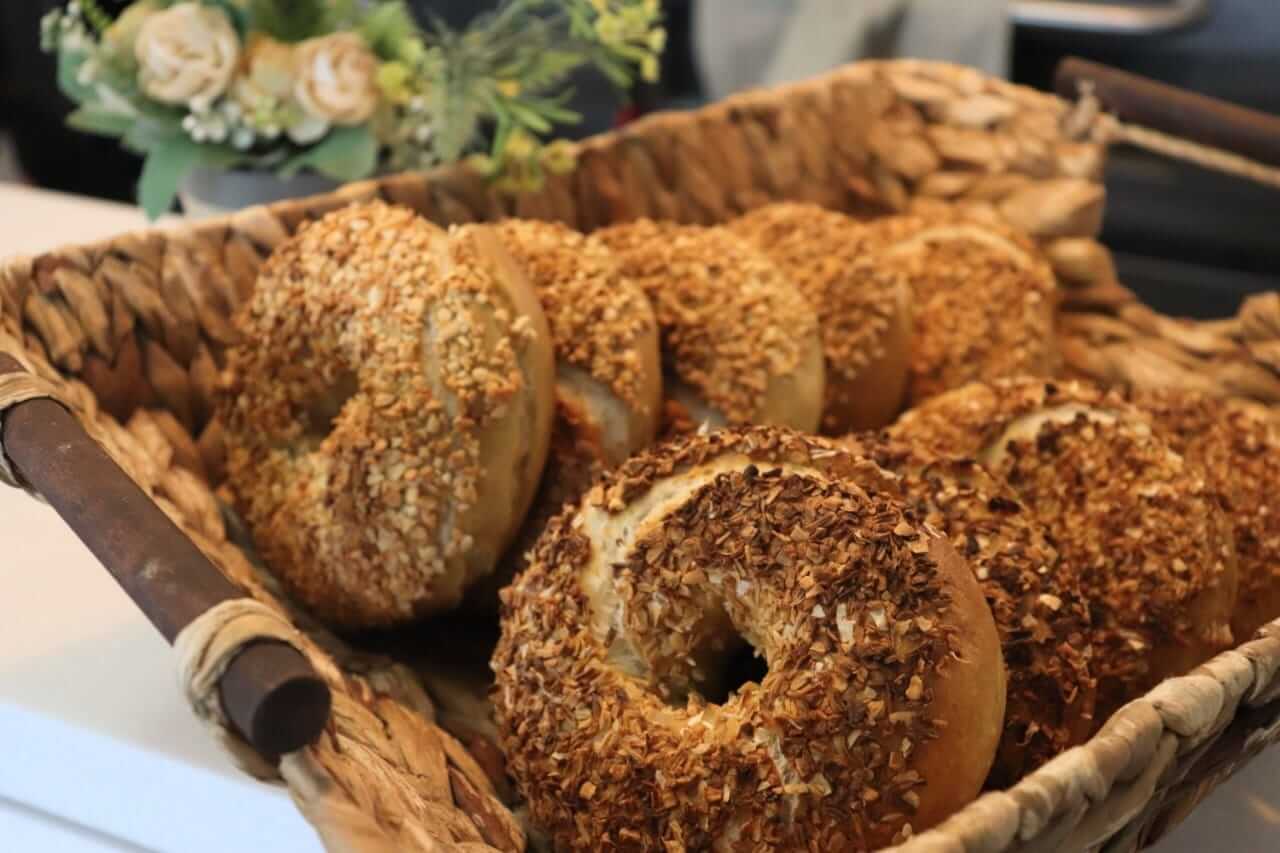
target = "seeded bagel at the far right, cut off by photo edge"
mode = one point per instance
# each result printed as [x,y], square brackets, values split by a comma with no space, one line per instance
[1240,451]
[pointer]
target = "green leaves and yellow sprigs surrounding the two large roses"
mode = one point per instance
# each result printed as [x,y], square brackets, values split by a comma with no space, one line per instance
[442,92]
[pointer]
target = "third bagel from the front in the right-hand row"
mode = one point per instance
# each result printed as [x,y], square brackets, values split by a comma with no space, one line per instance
[1133,519]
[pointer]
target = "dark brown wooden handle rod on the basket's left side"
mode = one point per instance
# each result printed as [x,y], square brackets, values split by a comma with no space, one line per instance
[269,691]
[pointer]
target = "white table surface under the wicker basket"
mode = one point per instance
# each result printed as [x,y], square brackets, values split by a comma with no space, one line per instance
[98,750]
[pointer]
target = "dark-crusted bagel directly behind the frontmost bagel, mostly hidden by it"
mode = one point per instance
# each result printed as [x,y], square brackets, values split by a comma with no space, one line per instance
[1041,614]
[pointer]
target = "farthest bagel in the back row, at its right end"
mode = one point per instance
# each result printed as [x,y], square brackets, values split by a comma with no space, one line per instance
[985,300]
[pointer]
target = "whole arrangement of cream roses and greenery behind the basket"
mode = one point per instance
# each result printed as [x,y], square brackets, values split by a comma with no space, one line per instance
[340,88]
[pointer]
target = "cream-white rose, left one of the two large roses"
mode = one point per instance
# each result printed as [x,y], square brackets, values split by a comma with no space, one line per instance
[188,54]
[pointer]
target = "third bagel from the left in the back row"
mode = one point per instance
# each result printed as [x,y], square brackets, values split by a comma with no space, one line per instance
[740,344]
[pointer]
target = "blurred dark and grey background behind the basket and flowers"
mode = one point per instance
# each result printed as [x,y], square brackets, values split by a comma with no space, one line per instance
[1188,241]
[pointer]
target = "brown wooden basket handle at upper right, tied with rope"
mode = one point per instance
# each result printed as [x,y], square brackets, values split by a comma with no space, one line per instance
[1177,112]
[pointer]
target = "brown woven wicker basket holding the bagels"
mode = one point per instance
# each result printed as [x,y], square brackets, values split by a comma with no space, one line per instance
[130,335]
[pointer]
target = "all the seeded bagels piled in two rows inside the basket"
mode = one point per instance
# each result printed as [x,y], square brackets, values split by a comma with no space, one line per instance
[838,448]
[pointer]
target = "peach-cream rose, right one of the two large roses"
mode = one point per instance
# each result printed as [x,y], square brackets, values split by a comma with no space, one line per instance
[337,79]
